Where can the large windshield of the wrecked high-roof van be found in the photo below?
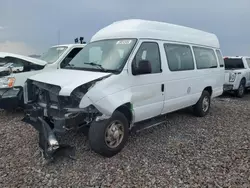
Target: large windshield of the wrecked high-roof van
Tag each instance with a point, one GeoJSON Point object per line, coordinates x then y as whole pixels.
{"type": "Point", "coordinates": [105, 56]}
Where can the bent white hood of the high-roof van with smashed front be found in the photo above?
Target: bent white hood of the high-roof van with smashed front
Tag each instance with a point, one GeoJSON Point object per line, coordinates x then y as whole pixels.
{"type": "Point", "coordinates": [68, 80]}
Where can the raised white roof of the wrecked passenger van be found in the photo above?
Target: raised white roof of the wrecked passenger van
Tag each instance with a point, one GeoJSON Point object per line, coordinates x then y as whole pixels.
{"type": "Point", "coordinates": [136, 28]}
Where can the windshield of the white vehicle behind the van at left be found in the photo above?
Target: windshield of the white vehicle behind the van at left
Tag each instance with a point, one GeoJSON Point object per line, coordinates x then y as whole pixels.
{"type": "Point", "coordinates": [53, 54]}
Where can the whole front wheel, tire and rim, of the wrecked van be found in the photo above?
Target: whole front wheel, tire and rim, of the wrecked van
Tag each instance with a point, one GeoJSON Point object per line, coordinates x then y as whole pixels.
{"type": "Point", "coordinates": [109, 137]}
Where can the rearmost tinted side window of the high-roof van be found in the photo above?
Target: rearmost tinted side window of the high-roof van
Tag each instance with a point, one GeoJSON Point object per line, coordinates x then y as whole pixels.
{"type": "Point", "coordinates": [205, 58]}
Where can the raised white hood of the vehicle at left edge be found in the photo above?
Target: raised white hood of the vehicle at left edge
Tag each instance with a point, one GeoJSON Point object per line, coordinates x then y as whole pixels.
{"type": "Point", "coordinates": [22, 57]}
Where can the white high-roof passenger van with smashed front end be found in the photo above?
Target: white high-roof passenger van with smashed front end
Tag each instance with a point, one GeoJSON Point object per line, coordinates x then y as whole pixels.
{"type": "Point", "coordinates": [131, 72]}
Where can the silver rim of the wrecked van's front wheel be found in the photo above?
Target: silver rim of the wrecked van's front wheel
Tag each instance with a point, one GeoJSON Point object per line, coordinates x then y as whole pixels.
{"type": "Point", "coordinates": [114, 134]}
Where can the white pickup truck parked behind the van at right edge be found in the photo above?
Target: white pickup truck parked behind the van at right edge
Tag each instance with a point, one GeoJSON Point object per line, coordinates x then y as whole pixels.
{"type": "Point", "coordinates": [237, 74]}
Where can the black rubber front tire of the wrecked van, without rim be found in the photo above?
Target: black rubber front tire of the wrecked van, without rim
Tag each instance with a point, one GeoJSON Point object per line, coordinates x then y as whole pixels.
{"type": "Point", "coordinates": [97, 132]}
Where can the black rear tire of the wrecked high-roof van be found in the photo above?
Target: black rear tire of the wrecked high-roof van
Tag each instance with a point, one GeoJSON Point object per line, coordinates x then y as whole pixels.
{"type": "Point", "coordinates": [198, 107]}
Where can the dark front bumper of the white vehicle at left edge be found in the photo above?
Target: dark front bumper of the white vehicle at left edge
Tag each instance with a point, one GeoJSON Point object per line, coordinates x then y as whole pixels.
{"type": "Point", "coordinates": [10, 98]}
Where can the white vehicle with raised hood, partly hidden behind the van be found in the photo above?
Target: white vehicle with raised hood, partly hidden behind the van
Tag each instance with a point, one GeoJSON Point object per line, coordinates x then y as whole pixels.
{"type": "Point", "coordinates": [15, 69]}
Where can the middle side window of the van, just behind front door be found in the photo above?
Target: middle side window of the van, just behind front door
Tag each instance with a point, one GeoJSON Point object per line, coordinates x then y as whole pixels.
{"type": "Point", "coordinates": [179, 57]}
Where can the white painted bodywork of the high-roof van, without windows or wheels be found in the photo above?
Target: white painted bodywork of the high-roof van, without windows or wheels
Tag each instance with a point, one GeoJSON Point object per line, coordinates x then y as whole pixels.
{"type": "Point", "coordinates": [144, 92]}
